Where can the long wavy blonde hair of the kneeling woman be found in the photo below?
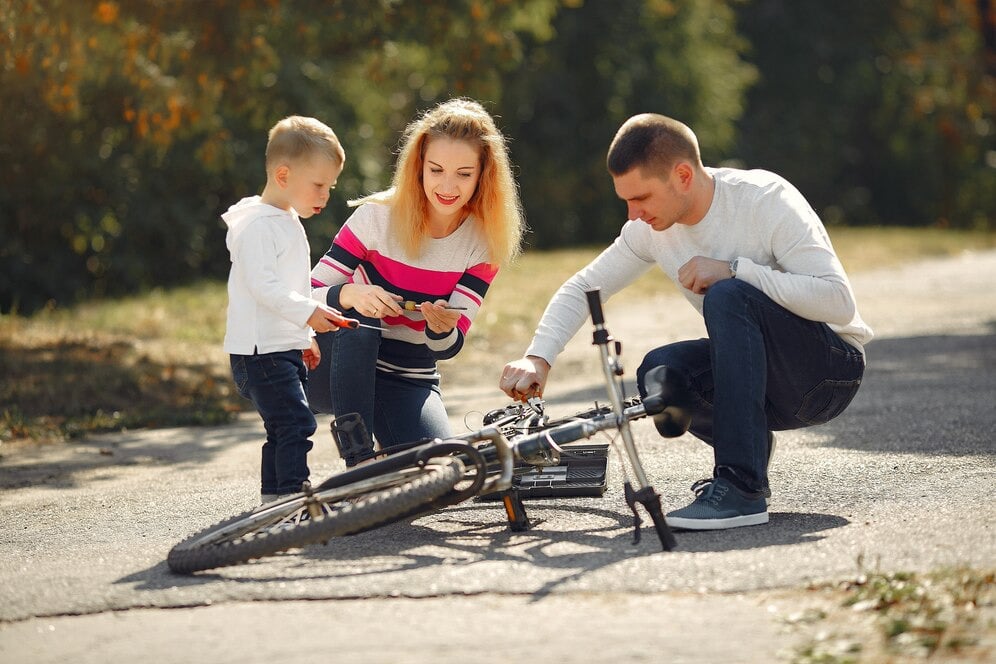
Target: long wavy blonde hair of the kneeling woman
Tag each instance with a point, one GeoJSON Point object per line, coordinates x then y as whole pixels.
{"type": "Point", "coordinates": [496, 200]}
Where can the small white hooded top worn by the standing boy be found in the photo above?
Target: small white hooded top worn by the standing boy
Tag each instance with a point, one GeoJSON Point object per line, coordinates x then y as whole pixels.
{"type": "Point", "coordinates": [269, 284]}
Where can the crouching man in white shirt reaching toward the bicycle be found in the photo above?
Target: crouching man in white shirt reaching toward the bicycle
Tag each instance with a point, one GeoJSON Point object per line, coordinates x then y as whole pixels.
{"type": "Point", "coordinates": [786, 344]}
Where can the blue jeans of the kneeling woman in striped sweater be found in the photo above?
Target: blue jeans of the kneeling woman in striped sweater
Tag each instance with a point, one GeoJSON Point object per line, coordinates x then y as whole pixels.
{"type": "Point", "coordinates": [395, 409]}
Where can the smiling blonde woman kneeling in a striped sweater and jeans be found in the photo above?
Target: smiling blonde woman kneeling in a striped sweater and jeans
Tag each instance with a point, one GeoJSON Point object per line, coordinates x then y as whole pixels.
{"type": "Point", "coordinates": [435, 241]}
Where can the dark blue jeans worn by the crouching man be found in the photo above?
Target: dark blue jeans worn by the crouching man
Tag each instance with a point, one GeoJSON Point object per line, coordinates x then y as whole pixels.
{"type": "Point", "coordinates": [761, 369]}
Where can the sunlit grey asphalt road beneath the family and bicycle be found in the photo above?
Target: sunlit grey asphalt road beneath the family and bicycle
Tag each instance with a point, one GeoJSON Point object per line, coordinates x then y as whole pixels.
{"type": "Point", "coordinates": [902, 481]}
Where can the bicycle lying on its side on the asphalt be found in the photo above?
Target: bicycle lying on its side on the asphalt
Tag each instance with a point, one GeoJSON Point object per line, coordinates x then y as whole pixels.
{"type": "Point", "coordinates": [429, 475]}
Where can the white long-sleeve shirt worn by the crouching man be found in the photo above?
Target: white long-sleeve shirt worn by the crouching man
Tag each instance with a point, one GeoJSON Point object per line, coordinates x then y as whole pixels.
{"type": "Point", "coordinates": [757, 217]}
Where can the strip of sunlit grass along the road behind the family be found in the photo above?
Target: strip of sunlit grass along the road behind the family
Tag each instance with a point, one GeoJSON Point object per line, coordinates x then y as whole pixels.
{"type": "Point", "coordinates": [156, 359]}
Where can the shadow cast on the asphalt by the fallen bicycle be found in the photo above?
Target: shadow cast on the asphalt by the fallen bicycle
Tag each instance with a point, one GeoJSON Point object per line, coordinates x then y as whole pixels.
{"type": "Point", "coordinates": [474, 534]}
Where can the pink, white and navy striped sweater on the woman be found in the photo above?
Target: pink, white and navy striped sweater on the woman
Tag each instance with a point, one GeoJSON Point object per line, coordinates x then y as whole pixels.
{"type": "Point", "coordinates": [454, 268]}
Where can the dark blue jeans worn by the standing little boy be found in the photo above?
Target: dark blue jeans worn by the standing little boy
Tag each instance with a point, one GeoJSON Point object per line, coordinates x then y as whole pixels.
{"type": "Point", "coordinates": [275, 383]}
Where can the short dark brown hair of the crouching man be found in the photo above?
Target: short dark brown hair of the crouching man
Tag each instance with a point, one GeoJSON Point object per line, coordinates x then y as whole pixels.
{"type": "Point", "coordinates": [653, 143]}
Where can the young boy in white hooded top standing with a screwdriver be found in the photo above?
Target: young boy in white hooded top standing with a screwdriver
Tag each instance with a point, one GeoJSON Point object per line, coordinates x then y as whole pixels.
{"type": "Point", "coordinates": [269, 286]}
